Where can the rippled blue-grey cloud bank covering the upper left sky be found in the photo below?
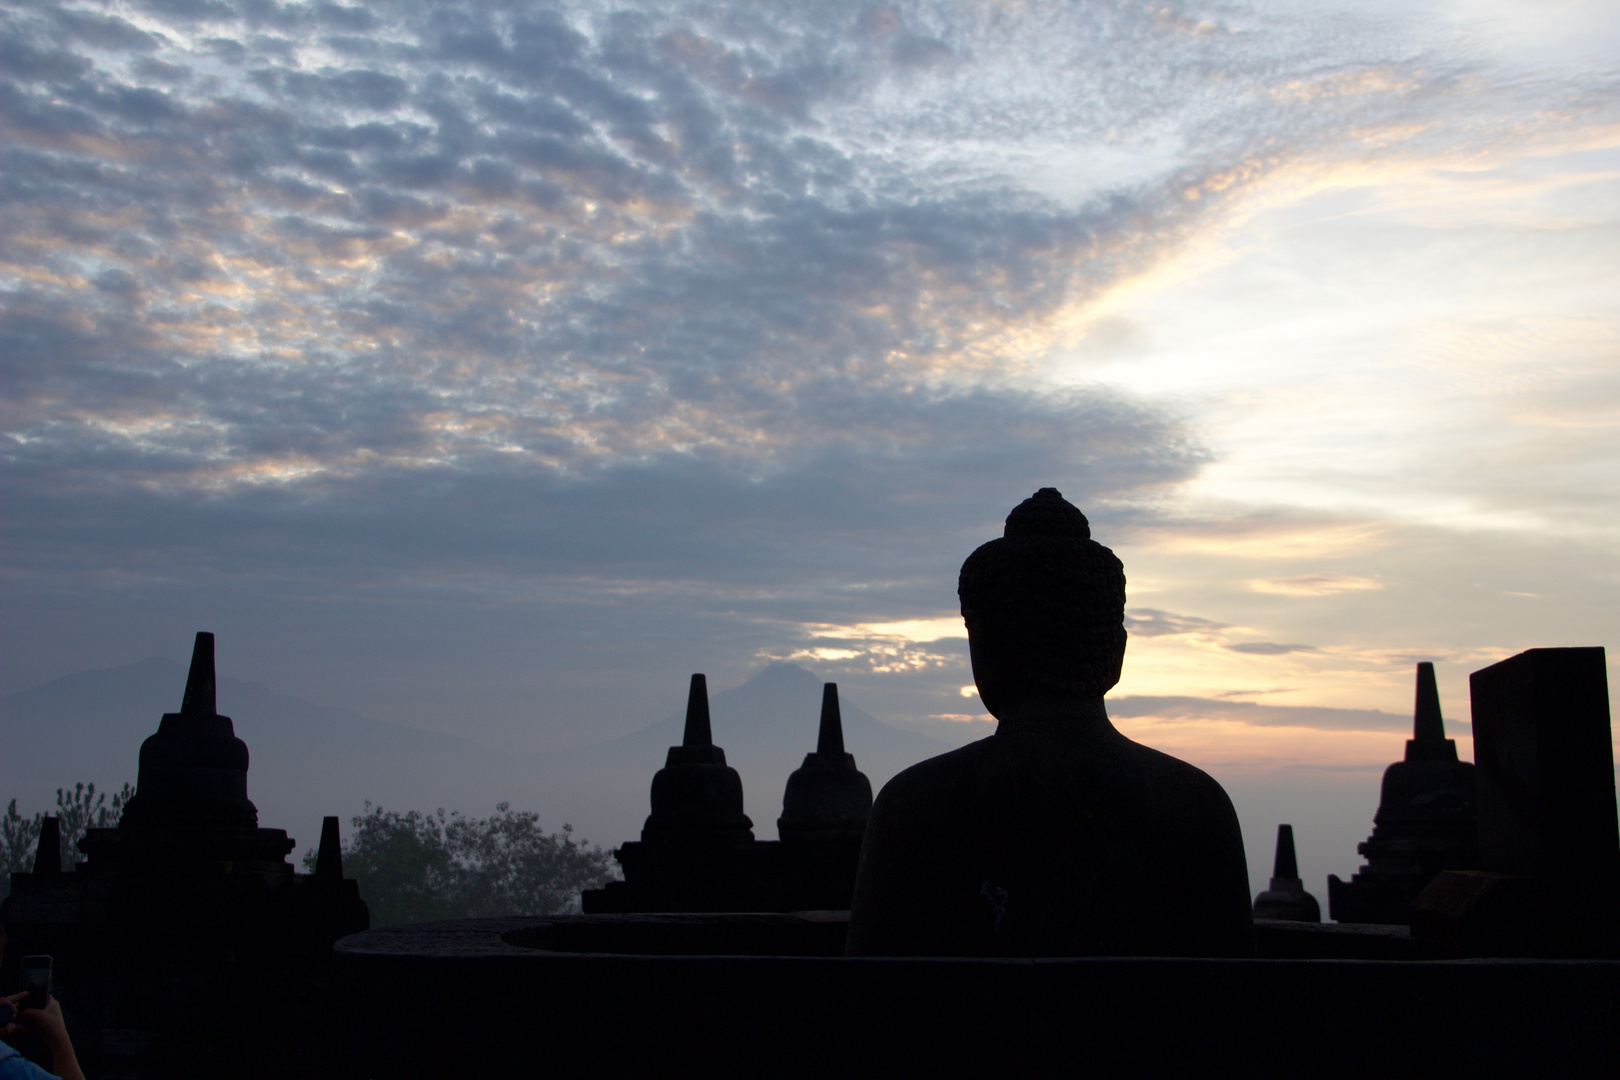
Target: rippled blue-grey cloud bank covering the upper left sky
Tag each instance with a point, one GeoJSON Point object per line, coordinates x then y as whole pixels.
{"type": "Point", "coordinates": [644, 292]}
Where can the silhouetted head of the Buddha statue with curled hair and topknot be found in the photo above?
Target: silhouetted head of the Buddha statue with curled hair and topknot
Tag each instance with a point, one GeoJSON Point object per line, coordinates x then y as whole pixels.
{"type": "Point", "coordinates": [1046, 605]}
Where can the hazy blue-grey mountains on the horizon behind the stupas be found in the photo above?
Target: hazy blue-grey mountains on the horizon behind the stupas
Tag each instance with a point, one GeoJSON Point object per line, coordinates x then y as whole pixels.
{"type": "Point", "coordinates": [310, 760]}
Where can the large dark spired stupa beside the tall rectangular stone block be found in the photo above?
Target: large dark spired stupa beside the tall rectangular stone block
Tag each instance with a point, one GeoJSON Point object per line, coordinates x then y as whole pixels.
{"type": "Point", "coordinates": [1426, 823]}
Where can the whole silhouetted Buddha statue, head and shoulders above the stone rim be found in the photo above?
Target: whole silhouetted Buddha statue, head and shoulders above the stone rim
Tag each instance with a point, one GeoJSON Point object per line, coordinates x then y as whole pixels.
{"type": "Point", "coordinates": [1055, 836]}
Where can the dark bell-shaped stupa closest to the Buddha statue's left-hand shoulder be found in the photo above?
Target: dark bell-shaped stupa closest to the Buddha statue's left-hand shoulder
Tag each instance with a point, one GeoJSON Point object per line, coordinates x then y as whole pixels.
{"type": "Point", "coordinates": [825, 810]}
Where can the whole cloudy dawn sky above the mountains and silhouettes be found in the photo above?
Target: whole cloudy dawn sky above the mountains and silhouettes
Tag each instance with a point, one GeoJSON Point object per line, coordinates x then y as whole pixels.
{"type": "Point", "coordinates": [490, 368]}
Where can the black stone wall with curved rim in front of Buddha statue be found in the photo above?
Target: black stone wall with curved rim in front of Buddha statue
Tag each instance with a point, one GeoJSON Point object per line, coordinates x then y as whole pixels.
{"type": "Point", "coordinates": [471, 998]}
